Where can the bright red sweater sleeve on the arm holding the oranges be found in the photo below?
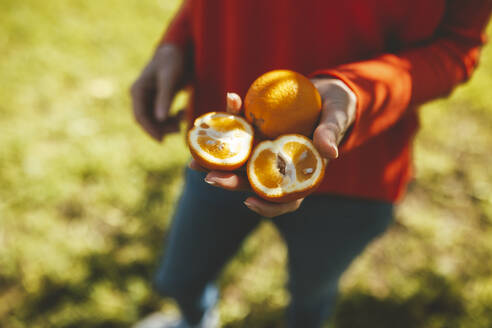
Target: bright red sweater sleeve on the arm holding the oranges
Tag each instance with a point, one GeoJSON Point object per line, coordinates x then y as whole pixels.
{"type": "Point", "coordinates": [391, 84]}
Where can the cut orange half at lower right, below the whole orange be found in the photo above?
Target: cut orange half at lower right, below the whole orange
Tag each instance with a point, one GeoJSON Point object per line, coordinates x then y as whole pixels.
{"type": "Point", "coordinates": [285, 169]}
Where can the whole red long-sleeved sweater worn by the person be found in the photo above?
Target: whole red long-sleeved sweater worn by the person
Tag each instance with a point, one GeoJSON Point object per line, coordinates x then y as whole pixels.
{"type": "Point", "coordinates": [394, 55]}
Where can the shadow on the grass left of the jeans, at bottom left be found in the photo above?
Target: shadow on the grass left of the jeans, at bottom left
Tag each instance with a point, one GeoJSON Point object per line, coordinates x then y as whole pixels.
{"type": "Point", "coordinates": [129, 256]}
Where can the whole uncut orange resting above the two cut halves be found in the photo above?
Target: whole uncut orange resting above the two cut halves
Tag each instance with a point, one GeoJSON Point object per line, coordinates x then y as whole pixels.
{"type": "Point", "coordinates": [281, 102]}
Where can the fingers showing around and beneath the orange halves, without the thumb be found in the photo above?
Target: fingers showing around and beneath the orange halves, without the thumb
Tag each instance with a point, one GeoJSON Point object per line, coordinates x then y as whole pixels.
{"type": "Point", "coordinates": [238, 180]}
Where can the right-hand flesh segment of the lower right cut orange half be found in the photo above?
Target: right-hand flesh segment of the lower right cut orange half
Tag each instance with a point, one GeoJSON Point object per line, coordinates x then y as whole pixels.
{"type": "Point", "coordinates": [303, 159]}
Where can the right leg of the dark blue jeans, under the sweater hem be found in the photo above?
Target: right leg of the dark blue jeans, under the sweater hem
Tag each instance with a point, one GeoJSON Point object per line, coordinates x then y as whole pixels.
{"type": "Point", "coordinates": [323, 237]}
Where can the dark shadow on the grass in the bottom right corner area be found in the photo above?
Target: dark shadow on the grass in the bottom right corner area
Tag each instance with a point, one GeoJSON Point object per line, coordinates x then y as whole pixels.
{"type": "Point", "coordinates": [437, 303]}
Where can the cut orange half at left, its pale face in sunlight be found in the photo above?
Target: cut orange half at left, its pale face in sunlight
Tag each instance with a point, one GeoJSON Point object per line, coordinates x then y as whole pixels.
{"type": "Point", "coordinates": [220, 141]}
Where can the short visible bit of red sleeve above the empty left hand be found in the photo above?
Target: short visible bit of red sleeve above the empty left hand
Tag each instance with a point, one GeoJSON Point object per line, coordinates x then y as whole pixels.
{"type": "Point", "coordinates": [178, 31]}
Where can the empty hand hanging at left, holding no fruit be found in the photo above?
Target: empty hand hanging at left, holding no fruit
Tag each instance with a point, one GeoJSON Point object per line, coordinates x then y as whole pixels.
{"type": "Point", "coordinates": [153, 92]}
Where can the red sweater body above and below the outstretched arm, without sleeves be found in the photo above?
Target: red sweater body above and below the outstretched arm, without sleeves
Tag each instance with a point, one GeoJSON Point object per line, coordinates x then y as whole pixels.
{"type": "Point", "coordinates": [235, 41]}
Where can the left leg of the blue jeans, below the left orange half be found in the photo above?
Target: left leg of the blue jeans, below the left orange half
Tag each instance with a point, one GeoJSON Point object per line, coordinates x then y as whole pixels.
{"type": "Point", "coordinates": [208, 227]}
